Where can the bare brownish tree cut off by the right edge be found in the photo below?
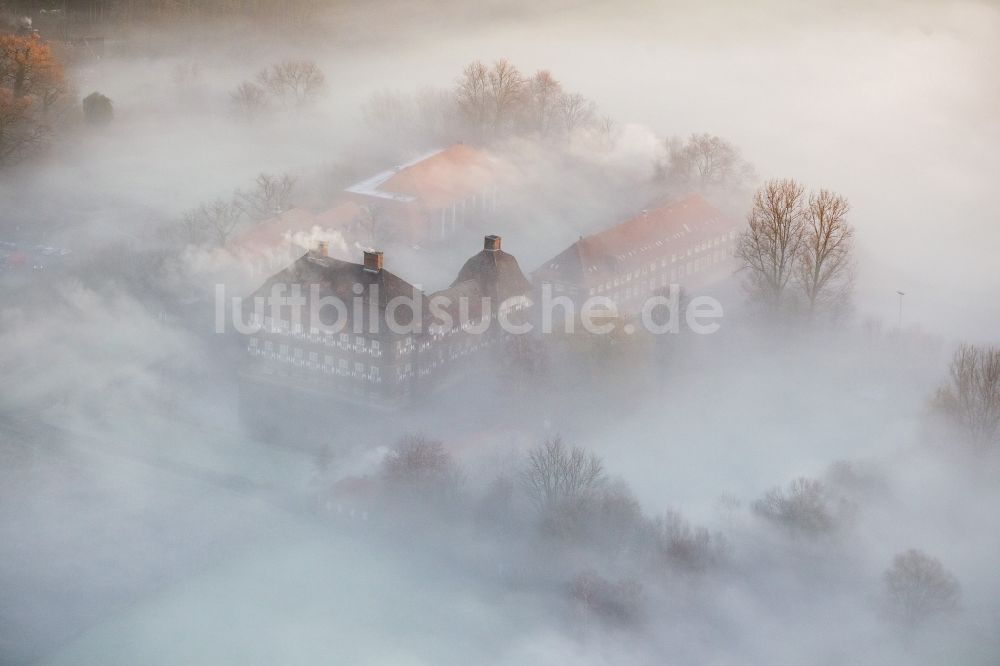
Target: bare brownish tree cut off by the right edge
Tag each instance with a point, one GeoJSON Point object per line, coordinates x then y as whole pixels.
{"type": "Point", "coordinates": [971, 400]}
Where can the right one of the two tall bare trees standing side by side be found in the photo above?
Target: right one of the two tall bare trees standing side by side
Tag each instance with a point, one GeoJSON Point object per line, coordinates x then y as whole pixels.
{"type": "Point", "coordinates": [825, 266]}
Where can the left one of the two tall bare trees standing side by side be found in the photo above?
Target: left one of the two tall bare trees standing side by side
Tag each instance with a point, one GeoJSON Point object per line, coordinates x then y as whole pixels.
{"type": "Point", "coordinates": [769, 248]}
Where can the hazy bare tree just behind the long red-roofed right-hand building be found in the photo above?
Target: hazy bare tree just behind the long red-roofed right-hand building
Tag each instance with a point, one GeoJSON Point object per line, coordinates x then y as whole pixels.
{"type": "Point", "coordinates": [705, 161]}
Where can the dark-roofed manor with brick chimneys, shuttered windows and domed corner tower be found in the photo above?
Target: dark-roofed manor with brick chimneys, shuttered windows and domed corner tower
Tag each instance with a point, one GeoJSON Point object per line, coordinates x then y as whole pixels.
{"type": "Point", "coordinates": [389, 341]}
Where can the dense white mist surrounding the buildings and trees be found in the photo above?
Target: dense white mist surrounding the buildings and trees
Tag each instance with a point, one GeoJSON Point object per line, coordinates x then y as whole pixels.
{"type": "Point", "coordinates": [140, 522]}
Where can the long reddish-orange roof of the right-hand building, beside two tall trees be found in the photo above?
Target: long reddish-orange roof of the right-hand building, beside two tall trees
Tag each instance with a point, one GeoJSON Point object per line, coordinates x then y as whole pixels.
{"type": "Point", "coordinates": [652, 233]}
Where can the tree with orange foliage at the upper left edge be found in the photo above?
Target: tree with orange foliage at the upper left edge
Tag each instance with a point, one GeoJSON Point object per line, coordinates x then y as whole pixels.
{"type": "Point", "coordinates": [31, 81]}
